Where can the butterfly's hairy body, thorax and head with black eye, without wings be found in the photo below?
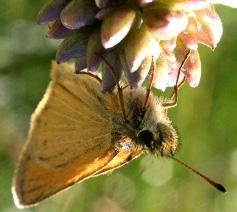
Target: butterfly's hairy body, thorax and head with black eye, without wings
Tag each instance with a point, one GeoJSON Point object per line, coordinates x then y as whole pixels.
{"type": "Point", "coordinates": [148, 126]}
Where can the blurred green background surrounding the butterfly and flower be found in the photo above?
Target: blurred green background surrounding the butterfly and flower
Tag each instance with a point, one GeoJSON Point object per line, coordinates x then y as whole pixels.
{"type": "Point", "coordinates": [205, 116]}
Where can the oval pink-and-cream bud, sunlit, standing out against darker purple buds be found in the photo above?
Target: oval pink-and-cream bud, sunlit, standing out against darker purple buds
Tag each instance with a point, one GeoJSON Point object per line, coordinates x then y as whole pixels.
{"type": "Point", "coordinates": [116, 26]}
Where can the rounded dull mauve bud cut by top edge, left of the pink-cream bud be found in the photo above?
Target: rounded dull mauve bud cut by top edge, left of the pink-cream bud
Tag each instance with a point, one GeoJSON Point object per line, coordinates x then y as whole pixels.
{"type": "Point", "coordinates": [78, 13]}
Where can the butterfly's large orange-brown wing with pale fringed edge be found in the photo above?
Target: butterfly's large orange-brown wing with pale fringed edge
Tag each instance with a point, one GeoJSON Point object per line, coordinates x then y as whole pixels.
{"type": "Point", "coordinates": [69, 138]}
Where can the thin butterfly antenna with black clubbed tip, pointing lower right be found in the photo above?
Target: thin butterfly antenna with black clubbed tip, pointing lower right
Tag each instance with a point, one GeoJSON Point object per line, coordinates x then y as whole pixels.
{"type": "Point", "coordinates": [218, 186]}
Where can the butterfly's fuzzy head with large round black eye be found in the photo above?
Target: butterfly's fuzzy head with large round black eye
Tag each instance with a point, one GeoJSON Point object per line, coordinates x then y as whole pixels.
{"type": "Point", "coordinates": [160, 140]}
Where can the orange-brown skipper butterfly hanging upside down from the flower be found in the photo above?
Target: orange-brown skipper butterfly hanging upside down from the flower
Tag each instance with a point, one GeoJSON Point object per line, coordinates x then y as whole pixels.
{"type": "Point", "coordinates": [77, 132]}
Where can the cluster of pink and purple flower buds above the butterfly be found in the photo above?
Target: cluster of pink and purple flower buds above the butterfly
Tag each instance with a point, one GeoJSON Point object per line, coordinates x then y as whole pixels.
{"type": "Point", "coordinates": [132, 33]}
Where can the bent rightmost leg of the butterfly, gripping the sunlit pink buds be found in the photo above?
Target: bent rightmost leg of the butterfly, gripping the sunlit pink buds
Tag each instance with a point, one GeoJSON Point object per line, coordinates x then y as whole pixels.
{"type": "Point", "coordinates": [172, 101]}
